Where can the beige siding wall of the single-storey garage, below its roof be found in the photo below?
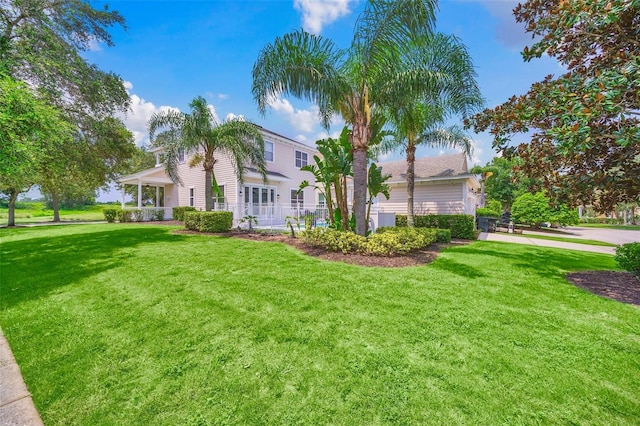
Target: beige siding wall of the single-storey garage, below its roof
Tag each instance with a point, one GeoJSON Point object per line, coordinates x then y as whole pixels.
{"type": "Point", "coordinates": [444, 197]}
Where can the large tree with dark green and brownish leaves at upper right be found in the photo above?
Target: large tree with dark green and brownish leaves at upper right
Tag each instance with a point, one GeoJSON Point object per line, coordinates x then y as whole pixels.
{"type": "Point", "coordinates": [585, 145]}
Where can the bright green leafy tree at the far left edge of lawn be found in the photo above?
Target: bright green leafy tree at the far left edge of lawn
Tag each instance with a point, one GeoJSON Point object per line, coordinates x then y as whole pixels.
{"type": "Point", "coordinates": [31, 133]}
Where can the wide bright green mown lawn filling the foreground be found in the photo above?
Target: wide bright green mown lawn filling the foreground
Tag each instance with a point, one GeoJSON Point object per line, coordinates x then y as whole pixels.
{"type": "Point", "coordinates": [131, 325]}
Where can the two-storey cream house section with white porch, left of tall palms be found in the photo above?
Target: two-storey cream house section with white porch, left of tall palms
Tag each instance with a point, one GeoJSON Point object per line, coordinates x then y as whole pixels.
{"type": "Point", "coordinates": [269, 202]}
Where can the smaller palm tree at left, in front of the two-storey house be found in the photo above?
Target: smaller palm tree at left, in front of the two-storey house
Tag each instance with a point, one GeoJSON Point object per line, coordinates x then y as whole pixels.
{"type": "Point", "coordinates": [199, 131]}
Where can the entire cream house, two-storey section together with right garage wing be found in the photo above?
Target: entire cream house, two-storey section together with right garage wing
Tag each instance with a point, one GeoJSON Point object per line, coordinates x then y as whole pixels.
{"type": "Point", "coordinates": [443, 185]}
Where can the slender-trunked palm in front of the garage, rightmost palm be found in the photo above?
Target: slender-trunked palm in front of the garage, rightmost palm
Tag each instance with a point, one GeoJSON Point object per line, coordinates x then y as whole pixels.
{"type": "Point", "coordinates": [417, 120]}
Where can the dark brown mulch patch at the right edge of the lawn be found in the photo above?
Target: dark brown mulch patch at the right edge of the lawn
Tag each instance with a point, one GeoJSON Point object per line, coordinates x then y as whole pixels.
{"type": "Point", "coordinates": [620, 286]}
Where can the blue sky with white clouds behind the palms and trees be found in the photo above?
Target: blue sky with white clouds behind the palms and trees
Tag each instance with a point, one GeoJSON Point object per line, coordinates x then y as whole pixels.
{"type": "Point", "coordinates": [173, 51]}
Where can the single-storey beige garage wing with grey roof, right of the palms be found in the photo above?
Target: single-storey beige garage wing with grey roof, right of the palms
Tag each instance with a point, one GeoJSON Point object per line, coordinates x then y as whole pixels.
{"type": "Point", "coordinates": [443, 185]}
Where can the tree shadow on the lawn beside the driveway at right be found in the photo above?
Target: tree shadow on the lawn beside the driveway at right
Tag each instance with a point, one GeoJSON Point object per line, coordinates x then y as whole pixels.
{"type": "Point", "coordinates": [546, 262]}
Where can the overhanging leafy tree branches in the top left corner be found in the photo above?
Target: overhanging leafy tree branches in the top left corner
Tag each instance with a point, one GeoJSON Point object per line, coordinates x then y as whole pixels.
{"type": "Point", "coordinates": [41, 42]}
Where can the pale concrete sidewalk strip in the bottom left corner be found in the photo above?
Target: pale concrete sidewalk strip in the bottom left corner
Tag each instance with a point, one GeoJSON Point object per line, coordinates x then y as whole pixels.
{"type": "Point", "coordinates": [16, 406]}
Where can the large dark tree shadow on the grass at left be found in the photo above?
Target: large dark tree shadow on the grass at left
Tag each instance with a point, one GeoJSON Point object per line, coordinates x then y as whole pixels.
{"type": "Point", "coordinates": [32, 268]}
